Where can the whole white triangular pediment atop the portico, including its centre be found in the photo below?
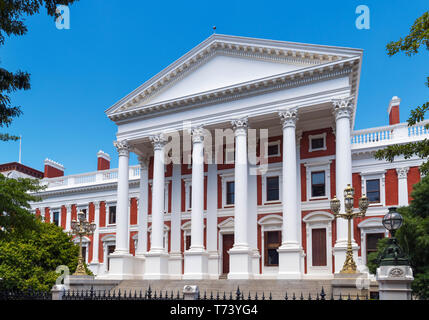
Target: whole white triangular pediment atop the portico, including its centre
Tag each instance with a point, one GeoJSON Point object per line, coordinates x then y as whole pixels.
{"type": "Point", "coordinates": [224, 62]}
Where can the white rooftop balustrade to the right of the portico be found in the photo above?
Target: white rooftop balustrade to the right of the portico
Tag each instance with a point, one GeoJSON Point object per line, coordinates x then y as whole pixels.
{"type": "Point", "coordinates": [398, 133]}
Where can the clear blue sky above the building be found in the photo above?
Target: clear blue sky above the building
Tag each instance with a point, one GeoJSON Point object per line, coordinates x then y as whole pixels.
{"type": "Point", "coordinates": [113, 46]}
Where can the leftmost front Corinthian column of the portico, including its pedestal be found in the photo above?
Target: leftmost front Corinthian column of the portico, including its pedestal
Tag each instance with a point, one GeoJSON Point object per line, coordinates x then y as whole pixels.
{"type": "Point", "coordinates": [121, 261]}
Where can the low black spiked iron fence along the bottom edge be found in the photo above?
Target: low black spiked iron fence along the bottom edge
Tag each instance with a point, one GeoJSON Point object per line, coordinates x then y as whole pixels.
{"type": "Point", "coordinates": [165, 295]}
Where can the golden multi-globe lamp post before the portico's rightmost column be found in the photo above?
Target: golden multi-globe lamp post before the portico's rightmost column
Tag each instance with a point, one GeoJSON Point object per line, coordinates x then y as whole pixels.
{"type": "Point", "coordinates": [349, 265]}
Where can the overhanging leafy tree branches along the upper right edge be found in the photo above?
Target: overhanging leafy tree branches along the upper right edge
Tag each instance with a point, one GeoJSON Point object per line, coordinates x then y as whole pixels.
{"type": "Point", "coordinates": [410, 45]}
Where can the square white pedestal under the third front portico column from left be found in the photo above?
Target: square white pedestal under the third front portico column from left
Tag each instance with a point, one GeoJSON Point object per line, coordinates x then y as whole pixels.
{"type": "Point", "coordinates": [196, 264]}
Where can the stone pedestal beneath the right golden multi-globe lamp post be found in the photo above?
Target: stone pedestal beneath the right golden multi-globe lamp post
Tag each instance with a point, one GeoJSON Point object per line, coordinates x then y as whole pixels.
{"type": "Point", "coordinates": [353, 284]}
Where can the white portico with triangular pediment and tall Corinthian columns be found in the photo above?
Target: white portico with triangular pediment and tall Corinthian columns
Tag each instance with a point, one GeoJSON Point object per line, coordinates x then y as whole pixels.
{"type": "Point", "coordinates": [228, 84]}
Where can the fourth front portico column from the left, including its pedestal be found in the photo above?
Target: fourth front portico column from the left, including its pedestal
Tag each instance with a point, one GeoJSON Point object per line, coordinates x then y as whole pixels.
{"type": "Point", "coordinates": [241, 254]}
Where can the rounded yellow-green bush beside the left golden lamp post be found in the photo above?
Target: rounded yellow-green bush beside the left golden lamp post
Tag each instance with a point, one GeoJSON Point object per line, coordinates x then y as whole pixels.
{"type": "Point", "coordinates": [30, 262]}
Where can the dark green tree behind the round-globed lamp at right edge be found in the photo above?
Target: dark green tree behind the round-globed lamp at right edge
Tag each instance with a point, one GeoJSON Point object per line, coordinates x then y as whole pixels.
{"type": "Point", "coordinates": [413, 238]}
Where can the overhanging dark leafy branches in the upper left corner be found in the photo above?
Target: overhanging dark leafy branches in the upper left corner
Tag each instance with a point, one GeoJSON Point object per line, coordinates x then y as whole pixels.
{"type": "Point", "coordinates": [12, 14]}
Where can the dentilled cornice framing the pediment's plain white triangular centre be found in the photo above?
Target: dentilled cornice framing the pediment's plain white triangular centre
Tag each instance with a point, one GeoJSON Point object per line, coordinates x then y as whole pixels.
{"type": "Point", "coordinates": [312, 59]}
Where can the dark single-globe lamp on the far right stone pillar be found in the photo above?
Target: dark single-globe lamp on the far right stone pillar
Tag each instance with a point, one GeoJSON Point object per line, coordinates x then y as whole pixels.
{"type": "Point", "coordinates": [393, 254]}
